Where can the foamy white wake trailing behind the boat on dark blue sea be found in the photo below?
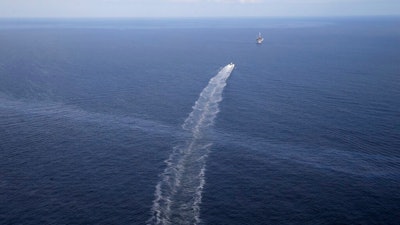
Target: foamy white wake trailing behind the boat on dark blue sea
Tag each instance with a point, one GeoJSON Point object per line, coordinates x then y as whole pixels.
{"type": "Point", "coordinates": [178, 193]}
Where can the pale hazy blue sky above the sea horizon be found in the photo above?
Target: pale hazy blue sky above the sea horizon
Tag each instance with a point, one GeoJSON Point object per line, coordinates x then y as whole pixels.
{"type": "Point", "coordinates": [195, 8]}
